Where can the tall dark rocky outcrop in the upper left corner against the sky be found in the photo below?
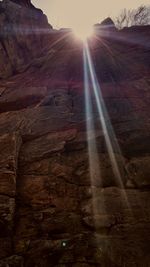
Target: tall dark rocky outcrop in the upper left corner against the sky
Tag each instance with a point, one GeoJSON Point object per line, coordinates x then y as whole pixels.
{"type": "Point", "coordinates": [23, 35]}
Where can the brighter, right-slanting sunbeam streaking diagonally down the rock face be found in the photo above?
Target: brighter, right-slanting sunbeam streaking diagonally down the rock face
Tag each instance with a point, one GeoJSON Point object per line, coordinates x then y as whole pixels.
{"type": "Point", "coordinates": [109, 135]}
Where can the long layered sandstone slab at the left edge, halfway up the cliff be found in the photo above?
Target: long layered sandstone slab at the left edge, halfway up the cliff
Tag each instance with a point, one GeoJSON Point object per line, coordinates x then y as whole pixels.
{"type": "Point", "coordinates": [35, 122]}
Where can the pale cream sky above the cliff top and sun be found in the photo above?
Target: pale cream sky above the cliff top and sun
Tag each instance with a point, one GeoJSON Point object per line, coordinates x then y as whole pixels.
{"type": "Point", "coordinates": [78, 13]}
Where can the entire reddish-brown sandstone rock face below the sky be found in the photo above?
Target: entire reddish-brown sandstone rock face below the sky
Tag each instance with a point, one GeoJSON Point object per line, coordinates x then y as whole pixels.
{"type": "Point", "coordinates": [53, 211]}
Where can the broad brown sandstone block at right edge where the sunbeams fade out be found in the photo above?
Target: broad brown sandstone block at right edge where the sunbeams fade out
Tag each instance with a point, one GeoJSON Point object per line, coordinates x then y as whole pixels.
{"type": "Point", "coordinates": [123, 205]}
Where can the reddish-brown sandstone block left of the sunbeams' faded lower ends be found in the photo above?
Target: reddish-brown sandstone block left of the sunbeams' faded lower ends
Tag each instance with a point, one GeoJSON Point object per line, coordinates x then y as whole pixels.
{"type": "Point", "coordinates": [39, 190]}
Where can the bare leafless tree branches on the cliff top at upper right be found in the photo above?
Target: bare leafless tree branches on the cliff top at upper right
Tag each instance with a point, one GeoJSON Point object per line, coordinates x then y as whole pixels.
{"type": "Point", "coordinates": [138, 16]}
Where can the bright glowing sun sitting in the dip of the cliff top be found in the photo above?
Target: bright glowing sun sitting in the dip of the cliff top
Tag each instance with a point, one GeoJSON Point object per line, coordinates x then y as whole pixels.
{"type": "Point", "coordinates": [83, 33]}
